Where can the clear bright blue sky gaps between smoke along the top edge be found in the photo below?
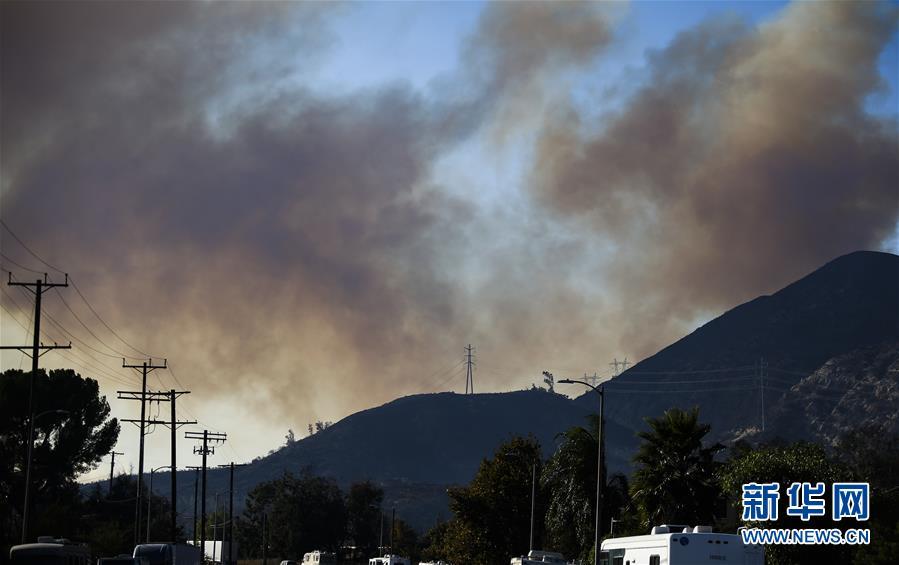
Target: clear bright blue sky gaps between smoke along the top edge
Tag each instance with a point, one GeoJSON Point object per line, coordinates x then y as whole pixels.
{"type": "Point", "coordinates": [414, 42]}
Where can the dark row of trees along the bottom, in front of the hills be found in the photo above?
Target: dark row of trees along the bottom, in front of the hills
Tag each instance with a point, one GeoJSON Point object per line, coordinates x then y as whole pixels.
{"type": "Point", "coordinates": [678, 477]}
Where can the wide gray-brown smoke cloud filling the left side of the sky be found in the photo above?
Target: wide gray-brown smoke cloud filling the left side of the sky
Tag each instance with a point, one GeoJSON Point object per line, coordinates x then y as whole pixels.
{"type": "Point", "coordinates": [285, 248]}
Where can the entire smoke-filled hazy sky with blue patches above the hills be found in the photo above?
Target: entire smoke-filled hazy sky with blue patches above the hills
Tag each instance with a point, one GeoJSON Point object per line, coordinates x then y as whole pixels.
{"type": "Point", "coordinates": [310, 209]}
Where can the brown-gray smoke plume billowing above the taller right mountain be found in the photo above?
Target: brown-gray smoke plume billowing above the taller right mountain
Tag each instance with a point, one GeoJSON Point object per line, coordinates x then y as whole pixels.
{"type": "Point", "coordinates": [746, 160]}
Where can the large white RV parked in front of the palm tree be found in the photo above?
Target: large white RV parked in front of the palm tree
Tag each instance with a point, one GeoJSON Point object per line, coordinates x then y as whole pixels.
{"type": "Point", "coordinates": [680, 545]}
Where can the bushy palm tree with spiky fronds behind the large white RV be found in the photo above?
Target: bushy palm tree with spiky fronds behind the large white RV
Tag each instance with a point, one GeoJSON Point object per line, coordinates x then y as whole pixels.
{"type": "Point", "coordinates": [675, 478]}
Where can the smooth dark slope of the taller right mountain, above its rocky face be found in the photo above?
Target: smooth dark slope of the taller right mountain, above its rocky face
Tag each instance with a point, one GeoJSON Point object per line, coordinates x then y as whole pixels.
{"type": "Point", "coordinates": [848, 305]}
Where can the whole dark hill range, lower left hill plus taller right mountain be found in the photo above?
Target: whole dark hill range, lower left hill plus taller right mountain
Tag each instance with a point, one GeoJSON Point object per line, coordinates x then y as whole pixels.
{"type": "Point", "coordinates": [818, 330]}
